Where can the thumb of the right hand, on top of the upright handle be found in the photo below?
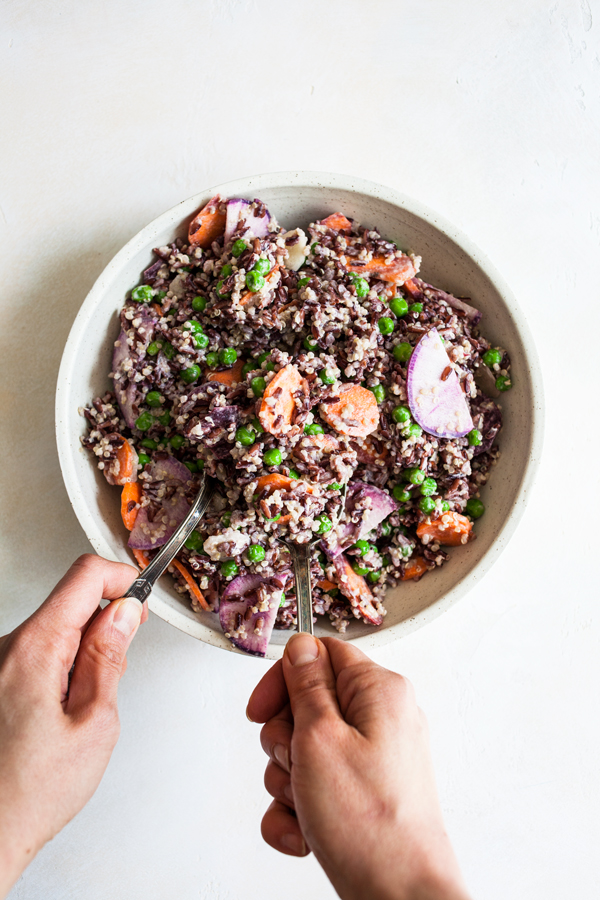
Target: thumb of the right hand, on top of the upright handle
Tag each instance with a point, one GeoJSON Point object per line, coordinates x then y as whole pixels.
{"type": "Point", "coordinates": [310, 680]}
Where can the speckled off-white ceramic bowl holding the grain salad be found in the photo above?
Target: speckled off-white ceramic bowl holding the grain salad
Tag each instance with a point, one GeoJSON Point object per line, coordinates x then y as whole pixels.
{"type": "Point", "coordinates": [450, 261]}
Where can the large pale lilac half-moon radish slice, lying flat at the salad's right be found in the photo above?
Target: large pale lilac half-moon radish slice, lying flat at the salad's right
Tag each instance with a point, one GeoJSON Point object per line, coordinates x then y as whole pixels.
{"type": "Point", "coordinates": [435, 396]}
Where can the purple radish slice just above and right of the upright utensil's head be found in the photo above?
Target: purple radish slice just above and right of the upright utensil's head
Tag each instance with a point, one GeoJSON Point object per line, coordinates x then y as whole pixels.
{"type": "Point", "coordinates": [366, 506]}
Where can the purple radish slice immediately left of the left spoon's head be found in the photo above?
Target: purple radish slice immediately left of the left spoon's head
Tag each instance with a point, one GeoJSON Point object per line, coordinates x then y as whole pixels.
{"type": "Point", "coordinates": [174, 478]}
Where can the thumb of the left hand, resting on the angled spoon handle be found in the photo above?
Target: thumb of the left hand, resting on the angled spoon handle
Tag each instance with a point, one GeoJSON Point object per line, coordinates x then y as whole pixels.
{"type": "Point", "coordinates": [101, 654]}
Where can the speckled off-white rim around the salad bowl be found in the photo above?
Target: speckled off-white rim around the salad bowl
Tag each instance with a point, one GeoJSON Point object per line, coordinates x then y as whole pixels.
{"type": "Point", "coordinates": [254, 184]}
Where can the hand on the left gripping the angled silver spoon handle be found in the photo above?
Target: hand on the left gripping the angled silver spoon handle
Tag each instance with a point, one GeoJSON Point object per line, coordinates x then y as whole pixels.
{"type": "Point", "coordinates": [55, 739]}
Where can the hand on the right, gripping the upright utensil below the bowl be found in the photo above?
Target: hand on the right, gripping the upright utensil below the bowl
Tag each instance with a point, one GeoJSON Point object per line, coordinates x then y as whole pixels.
{"type": "Point", "coordinates": [351, 774]}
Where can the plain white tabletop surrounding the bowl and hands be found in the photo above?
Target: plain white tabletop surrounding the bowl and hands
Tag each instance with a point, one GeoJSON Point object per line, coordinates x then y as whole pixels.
{"type": "Point", "coordinates": [488, 112]}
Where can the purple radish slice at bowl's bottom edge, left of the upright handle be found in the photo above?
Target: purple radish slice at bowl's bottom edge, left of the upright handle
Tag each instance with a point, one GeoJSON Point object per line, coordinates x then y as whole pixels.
{"type": "Point", "coordinates": [247, 621]}
